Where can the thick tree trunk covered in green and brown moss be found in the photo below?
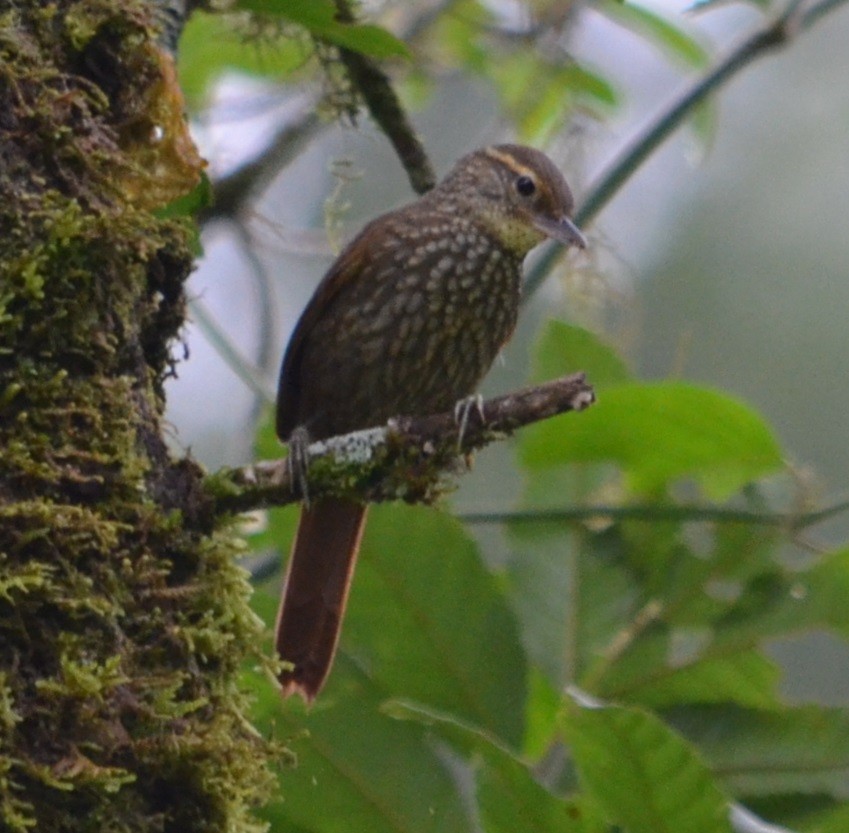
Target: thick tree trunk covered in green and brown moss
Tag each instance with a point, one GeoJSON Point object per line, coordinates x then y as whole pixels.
{"type": "Point", "coordinates": [123, 621]}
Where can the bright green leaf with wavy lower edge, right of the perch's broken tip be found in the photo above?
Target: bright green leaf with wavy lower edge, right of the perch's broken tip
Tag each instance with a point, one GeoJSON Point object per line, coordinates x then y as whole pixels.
{"type": "Point", "coordinates": [659, 433]}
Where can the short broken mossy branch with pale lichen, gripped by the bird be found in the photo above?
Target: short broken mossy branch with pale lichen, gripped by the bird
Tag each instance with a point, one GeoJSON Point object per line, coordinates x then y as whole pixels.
{"type": "Point", "coordinates": [406, 459]}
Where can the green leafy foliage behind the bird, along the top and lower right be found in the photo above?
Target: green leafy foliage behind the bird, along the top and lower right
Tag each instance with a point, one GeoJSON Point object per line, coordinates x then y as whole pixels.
{"type": "Point", "coordinates": [604, 663]}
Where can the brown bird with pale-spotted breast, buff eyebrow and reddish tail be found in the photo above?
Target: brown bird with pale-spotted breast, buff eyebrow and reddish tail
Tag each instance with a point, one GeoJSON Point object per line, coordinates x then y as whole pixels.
{"type": "Point", "coordinates": [407, 321]}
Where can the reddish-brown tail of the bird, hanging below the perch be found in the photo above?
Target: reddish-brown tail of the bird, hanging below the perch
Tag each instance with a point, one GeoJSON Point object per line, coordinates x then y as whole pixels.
{"type": "Point", "coordinates": [315, 593]}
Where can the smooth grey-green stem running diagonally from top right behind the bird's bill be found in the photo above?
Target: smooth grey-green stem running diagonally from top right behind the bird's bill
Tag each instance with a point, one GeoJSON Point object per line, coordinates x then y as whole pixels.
{"type": "Point", "coordinates": [773, 34]}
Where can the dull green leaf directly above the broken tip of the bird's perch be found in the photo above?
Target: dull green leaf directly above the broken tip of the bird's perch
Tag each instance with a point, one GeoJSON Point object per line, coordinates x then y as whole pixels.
{"type": "Point", "coordinates": [564, 348]}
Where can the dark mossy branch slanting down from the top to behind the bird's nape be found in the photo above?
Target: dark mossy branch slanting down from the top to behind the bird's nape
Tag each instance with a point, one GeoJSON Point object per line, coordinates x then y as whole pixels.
{"type": "Point", "coordinates": [374, 86]}
